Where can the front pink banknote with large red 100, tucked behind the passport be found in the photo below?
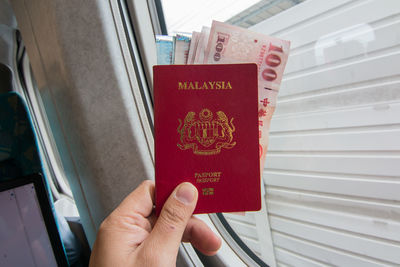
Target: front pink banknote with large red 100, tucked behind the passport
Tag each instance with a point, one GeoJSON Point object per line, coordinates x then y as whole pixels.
{"type": "Point", "coordinates": [231, 44]}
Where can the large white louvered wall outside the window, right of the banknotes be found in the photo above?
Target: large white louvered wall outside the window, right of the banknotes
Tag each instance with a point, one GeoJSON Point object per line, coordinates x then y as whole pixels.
{"type": "Point", "coordinates": [332, 172]}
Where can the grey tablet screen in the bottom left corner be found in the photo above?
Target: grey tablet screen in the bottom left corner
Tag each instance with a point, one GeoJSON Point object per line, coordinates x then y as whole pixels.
{"type": "Point", "coordinates": [23, 233]}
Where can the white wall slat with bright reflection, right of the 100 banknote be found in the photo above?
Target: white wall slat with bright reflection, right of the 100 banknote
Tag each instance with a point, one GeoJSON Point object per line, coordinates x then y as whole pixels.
{"type": "Point", "coordinates": [350, 43]}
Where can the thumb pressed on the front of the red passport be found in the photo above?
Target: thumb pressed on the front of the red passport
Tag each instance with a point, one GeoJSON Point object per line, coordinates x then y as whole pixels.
{"type": "Point", "coordinates": [167, 233]}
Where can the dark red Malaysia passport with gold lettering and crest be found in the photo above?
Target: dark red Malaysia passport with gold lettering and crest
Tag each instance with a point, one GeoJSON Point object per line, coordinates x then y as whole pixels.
{"type": "Point", "coordinates": [206, 133]}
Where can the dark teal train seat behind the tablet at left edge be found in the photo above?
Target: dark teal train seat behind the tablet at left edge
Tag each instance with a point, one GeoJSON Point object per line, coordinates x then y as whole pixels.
{"type": "Point", "coordinates": [19, 156]}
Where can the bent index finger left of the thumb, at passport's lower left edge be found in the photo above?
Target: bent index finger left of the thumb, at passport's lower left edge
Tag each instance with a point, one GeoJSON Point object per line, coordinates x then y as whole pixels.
{"type": "Point", "coordinates": [141, 200]}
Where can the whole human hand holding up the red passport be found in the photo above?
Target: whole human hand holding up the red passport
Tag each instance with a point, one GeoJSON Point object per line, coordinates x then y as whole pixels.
{"type": "Point", "coordinates": [133, 236]}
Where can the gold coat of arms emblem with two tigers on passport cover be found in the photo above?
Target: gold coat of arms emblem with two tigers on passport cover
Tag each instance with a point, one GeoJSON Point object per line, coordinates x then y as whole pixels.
{"type": "Point", "coordinates": [206, 135]}
